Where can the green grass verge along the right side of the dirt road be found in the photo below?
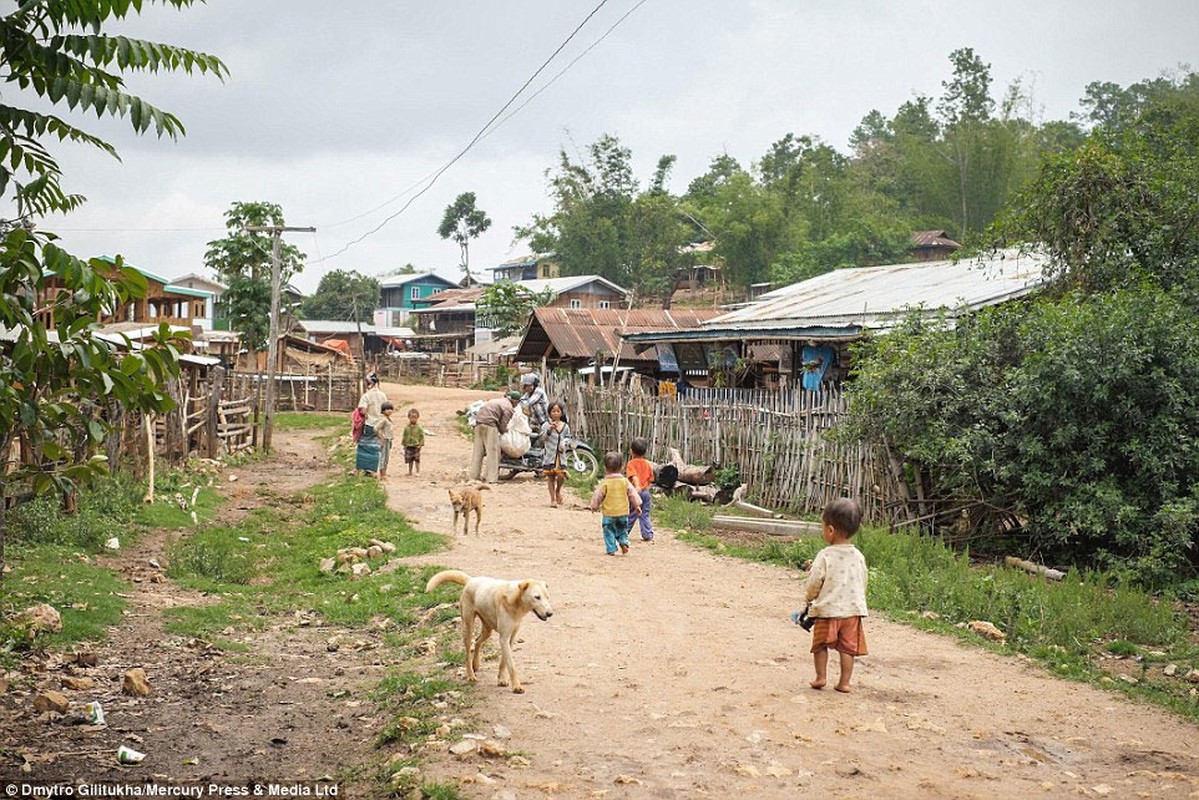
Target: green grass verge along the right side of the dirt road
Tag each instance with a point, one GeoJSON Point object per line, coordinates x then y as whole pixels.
{"type": "Point", "coordinates": [1092, 627]}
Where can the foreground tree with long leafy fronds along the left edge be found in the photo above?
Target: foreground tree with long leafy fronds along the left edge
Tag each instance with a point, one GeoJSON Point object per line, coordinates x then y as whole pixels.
{"type": "Point", "coordinates": [58, 392]}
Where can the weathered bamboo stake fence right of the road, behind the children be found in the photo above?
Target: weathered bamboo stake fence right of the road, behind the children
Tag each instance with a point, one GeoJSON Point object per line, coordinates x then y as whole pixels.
{"type": "Point", "coordinates": [778, 440]}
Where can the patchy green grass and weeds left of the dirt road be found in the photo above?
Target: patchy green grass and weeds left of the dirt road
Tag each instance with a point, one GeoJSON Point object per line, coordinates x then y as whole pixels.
{"type": "Point", "coordinates": [262, 570]}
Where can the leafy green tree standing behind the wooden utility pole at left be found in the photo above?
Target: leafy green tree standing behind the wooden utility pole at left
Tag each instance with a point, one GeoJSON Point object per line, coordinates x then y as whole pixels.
{"type": "Point", "coordinates": [243, 261]}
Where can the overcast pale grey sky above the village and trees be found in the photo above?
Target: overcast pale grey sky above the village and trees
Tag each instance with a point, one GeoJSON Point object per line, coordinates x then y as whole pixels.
{"type": "Point", "coordinates": [336, 110]}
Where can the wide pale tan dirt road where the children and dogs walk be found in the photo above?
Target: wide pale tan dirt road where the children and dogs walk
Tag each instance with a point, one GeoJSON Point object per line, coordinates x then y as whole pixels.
{"type": "Point", "coordinates": [676, 673]}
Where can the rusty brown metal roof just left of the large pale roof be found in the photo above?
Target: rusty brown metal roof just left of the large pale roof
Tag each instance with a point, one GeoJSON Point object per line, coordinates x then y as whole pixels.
{"type": "Point", "coordinates": [582, 333]}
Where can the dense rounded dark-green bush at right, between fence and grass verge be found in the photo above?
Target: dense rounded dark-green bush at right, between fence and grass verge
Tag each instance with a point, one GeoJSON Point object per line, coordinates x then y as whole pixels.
{"type": "Point", "coordinates": [1070, 419]}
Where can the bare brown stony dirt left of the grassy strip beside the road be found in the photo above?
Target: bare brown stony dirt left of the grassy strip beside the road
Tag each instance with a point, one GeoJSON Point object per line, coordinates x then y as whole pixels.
{"type": "Point", "coordinates": [287, 711]}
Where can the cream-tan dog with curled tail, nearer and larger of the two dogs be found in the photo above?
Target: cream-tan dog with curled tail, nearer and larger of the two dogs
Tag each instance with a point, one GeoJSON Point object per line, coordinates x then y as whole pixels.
{"type": "Point", "coordinates": [499, 606]}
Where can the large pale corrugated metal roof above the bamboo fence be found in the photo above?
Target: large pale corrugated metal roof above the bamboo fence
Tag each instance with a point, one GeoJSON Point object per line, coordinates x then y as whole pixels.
{"type": "Point", "coordinates": [875, 297]}
